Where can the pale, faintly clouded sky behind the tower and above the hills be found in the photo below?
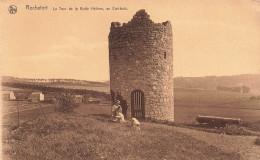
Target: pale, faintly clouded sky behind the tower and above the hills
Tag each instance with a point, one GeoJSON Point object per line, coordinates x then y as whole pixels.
{"type": "Point", "coordinates": [210, 37]}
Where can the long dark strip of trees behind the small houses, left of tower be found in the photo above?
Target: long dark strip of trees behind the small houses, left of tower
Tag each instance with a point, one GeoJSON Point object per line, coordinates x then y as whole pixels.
{"type": "Point", "coordinates": [91, 93]}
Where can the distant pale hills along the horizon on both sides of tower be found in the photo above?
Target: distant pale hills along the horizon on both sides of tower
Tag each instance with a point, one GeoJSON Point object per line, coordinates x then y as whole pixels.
{"type": "Point", "coordinates": [208, 82]}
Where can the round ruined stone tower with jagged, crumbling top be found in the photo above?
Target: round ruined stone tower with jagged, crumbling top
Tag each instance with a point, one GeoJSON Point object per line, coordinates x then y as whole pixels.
{"type": "Point", "coordinates": [141, 67]}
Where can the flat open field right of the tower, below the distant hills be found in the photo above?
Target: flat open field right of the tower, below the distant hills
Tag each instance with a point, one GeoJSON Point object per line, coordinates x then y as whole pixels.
{"type": "Point", "coordinates": [192, 102]}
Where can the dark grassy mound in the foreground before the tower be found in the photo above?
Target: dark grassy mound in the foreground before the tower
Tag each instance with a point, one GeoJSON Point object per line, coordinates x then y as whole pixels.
{"type": "Point", "coordinates": [96, 137]}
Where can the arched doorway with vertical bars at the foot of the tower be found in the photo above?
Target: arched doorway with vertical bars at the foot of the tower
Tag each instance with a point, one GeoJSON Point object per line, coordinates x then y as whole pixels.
{"type": "Point", "coordinates": [137, 104]}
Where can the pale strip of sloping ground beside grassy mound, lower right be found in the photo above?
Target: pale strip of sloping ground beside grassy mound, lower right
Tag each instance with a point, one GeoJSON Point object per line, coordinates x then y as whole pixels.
{"type": "Point", "coordinates": [244, 145]}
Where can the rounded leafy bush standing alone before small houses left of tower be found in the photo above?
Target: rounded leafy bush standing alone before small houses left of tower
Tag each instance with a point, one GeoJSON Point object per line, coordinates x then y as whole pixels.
{"type": "Point", "coordinates": [66, 103]}
